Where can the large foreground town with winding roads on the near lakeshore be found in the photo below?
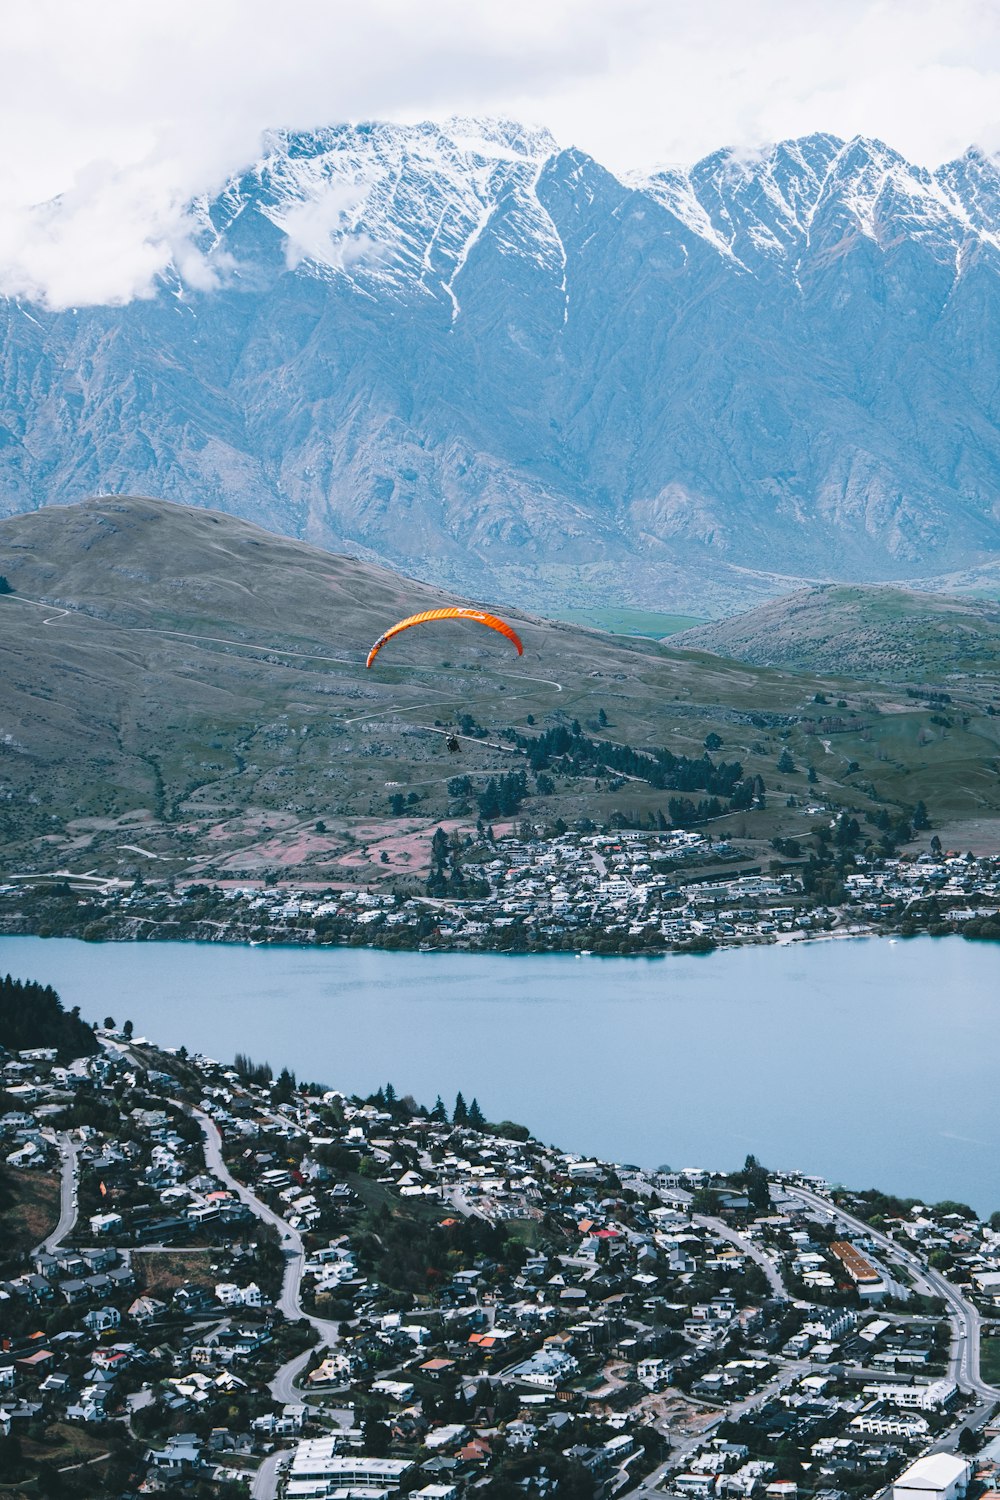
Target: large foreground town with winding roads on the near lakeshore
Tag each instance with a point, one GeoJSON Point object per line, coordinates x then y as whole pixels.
{"type": "Point", "coordinates": [221, 1282]}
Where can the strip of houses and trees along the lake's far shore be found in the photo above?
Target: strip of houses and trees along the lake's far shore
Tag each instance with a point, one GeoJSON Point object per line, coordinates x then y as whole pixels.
{"type": "Point", "coordinates": [618, 892]}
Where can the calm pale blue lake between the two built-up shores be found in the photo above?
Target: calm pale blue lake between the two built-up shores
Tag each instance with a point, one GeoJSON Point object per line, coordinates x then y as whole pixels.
{"type": "Point", "coordinates": [872, 1063]}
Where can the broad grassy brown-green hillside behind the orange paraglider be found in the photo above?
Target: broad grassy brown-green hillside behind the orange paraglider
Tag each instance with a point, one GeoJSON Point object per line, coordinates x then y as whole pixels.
{"type": "Point", "coordinates": [185, 694]}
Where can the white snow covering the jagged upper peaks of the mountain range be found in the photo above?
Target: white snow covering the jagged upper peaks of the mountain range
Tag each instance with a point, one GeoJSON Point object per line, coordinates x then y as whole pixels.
{"type": "Point", "coordinates": [401, 208]}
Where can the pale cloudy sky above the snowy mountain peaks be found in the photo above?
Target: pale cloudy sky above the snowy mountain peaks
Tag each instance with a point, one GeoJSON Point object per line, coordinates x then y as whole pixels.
{"type": "Point", "coordinates": [127, 110]}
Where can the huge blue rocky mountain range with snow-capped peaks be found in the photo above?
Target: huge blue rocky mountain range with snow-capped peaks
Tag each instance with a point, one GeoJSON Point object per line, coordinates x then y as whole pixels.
{"type": "Point", "coordinates": [491, 362]}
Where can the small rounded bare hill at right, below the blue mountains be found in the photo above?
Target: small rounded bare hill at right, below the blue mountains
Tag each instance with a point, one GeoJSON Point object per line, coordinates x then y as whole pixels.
{"type": "Point", "coordinates": [882, 634]}
